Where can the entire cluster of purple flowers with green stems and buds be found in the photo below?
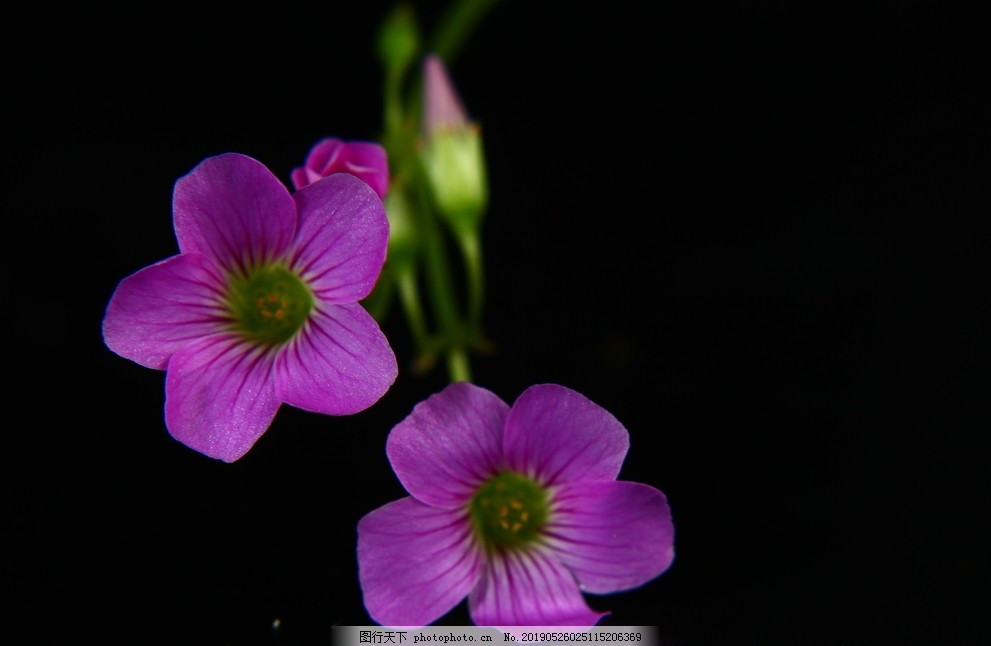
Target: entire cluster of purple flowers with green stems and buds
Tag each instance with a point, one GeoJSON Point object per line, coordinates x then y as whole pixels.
{"type": "Point", "coordinates": [516, 508]}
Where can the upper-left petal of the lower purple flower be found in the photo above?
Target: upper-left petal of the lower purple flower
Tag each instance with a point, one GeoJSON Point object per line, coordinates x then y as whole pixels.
{"type": "Point", "coordinates": [449, 444]}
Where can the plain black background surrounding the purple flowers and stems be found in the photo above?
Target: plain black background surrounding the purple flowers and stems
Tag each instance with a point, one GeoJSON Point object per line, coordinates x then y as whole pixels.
{"type": "Point", "coordinates": [754, 233]}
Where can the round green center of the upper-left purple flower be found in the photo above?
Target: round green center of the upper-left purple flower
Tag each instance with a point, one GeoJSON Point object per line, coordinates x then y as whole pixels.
{"type": "Point", "coordinates": [268, 304]}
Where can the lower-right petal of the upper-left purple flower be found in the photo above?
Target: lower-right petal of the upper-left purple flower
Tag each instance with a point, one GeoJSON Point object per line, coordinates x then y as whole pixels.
{"type": "Point", "coordinates": [340, 363]}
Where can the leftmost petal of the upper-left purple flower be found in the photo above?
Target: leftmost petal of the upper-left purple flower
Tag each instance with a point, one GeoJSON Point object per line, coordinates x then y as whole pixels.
{"type": "Point", "coordinates": [162, 308]}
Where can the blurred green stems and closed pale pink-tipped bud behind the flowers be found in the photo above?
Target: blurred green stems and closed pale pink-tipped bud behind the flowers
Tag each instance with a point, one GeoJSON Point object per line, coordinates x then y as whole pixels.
{"type": "Point", "coordinates": [439, 183]}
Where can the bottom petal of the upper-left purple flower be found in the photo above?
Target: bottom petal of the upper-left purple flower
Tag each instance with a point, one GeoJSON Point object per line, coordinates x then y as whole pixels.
{"type": "Point", "coordinates": [219, 396]}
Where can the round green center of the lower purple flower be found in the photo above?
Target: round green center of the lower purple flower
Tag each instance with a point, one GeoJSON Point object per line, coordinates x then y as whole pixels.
{"type": "Point", "coordinates": [509, 511]}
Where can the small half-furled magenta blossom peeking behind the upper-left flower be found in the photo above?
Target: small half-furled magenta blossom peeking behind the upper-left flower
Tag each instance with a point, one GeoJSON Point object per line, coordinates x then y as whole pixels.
{"type": "Point", "coordinates": [365, 160]}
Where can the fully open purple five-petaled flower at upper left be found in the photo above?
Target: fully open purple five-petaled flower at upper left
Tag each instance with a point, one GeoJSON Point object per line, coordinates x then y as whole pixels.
{"type": "Point", "coordinates": [260, 306]}
